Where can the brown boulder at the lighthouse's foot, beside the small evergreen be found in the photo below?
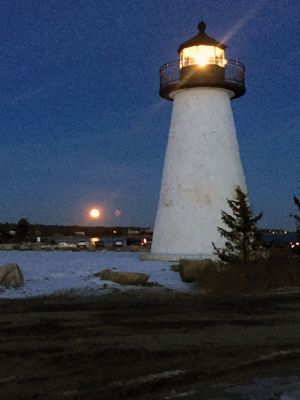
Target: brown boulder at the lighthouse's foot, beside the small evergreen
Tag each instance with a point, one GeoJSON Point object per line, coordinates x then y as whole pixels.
{"type": "Point", "coordinates": [191, 269]}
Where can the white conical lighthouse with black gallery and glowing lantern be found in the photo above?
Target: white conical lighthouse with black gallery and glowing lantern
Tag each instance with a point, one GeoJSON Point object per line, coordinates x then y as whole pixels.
{"type": "Point", "coordinates": [202, 166]}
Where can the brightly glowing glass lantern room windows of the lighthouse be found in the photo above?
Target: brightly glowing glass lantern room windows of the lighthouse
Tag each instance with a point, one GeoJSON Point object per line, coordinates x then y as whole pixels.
{"type": "Point", "coordinates": [202, 55]}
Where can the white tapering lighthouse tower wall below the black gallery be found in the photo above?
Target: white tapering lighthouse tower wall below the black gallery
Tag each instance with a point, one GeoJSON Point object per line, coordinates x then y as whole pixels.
{"type": "Point", "coordinates": [202, 170]}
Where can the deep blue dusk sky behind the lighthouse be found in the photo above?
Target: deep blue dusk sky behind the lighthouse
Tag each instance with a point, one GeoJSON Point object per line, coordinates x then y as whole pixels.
{"type": "Point", "coordinates": [82, 124]}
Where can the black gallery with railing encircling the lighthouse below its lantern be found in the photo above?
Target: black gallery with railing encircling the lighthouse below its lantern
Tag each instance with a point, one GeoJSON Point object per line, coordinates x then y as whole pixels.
{"type": "Point", "coordinates": [233, 79]}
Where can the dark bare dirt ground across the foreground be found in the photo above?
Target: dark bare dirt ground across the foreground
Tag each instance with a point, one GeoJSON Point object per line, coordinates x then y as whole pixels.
{"type": "Point", "coordinates": [148, 344]}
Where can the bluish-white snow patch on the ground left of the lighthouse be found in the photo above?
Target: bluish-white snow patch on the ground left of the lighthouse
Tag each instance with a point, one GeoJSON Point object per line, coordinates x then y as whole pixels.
{"type": "Point", "coordinates": [49, 272]}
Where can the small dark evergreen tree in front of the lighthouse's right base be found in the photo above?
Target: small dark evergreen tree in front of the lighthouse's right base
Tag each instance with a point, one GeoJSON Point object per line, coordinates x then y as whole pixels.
{"type": "Point", "coordinates": [241, 237]}
